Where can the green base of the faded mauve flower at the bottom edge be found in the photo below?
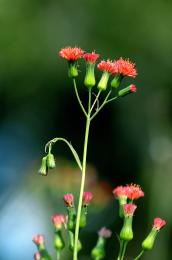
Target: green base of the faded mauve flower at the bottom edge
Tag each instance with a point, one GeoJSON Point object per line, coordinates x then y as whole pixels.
{"type": "Point", "coordinates": [98, 252]}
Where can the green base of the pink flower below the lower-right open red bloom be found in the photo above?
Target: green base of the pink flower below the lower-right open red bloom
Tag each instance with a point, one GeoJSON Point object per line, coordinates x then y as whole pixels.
{"type": "Point", "coordinates": [126, 233]}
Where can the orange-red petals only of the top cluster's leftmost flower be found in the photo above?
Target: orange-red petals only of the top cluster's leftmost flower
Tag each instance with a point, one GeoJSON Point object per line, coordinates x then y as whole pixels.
{"type": "Point", "coordinates": [71, 54]}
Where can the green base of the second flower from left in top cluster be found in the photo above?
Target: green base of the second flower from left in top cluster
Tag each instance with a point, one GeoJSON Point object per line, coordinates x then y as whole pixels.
{"type": "Point", "coordinates": [89, 80]}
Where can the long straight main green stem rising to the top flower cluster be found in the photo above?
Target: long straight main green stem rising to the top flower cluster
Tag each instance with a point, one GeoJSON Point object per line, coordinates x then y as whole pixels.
{"type": "Point", "coordinates": [82, 179]}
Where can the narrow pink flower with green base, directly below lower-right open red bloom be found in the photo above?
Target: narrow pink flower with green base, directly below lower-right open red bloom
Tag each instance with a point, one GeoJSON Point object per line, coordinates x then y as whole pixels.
{"type": "Point", "coordinates": [126, 233]}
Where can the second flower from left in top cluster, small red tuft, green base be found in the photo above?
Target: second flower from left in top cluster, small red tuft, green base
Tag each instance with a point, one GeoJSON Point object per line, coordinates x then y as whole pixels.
{"type": "Point", "coordinates": [90, 59]}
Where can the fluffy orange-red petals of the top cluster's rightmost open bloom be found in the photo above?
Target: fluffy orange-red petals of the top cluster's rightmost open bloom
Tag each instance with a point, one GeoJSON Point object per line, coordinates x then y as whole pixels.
{"type": "Point", "coordinates": [125, 68]}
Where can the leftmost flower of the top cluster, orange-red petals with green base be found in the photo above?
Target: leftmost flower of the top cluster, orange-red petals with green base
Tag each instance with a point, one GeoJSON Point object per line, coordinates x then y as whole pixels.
{"type": "Point", "coordinates": [72, 55]}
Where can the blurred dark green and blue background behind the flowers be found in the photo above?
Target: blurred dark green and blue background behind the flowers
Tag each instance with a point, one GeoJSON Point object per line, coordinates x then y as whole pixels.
{"type": "Point", "coordinates": [130, 141]}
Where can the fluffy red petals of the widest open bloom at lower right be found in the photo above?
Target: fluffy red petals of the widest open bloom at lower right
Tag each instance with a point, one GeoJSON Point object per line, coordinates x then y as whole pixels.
{"type": "Point", "coordinates": [134, 192]}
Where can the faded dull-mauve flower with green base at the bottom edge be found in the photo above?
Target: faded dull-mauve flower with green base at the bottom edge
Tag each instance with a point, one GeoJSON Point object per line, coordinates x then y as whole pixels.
{"type": "Point", "coordinates": [98, 252]}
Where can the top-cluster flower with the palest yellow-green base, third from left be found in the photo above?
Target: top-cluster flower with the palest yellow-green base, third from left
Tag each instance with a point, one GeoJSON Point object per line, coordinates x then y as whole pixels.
{"type": "Point", "coordinates": [108, 68]}
